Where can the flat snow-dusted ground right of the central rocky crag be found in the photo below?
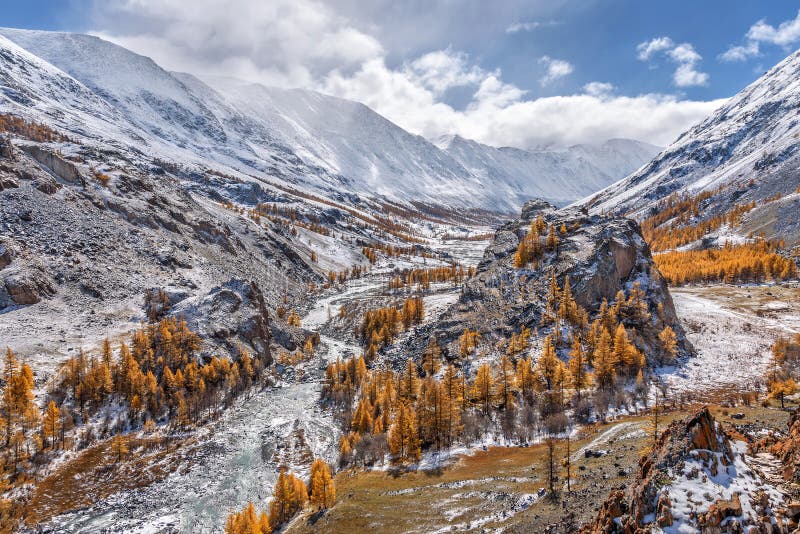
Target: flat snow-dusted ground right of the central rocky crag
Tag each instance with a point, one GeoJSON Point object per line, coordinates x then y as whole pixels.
{"type": "Point", "coordinates": [732, 329]}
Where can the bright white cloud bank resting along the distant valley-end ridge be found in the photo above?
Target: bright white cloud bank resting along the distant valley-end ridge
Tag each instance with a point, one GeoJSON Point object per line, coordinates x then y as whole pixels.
{"type": "Point", "coordinates": [500, 114]}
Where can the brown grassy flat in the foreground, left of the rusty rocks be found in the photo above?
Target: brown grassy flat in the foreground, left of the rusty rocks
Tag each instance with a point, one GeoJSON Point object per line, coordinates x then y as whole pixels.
{"type": "Point", "coordinates": [493, 481]}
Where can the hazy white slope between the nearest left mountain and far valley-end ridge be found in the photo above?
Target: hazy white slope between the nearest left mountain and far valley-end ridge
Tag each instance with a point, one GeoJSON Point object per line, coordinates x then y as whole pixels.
{"type": "Point", "coordinates": [348, 138]}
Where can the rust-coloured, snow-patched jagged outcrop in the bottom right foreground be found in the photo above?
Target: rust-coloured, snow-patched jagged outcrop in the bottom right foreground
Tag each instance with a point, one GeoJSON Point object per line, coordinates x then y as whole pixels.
{"type": "Point", "coordinates": [692, 481]}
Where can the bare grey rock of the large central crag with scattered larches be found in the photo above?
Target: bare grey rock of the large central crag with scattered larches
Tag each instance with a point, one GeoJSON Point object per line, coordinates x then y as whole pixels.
{"type": "Point", "coordinates": [600, 255]}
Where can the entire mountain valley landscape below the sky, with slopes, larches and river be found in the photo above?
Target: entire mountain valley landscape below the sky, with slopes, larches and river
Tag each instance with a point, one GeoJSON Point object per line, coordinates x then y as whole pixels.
{"type": "Point", "coordinates": [218, 296]}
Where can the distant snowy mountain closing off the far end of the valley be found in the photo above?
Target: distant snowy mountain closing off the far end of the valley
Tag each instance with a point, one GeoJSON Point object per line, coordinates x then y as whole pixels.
{"type": "Point", "coordinates": [552, 174]}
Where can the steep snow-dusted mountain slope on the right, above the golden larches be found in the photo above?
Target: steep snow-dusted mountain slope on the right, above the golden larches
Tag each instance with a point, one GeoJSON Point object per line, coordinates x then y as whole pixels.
{"type": "Point", "coordinates": [747, 150]}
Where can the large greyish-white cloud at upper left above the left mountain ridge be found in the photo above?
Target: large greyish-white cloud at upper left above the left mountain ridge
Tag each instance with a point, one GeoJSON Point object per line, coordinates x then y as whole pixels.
{"type": "Point", "coordinates": [280, 42]}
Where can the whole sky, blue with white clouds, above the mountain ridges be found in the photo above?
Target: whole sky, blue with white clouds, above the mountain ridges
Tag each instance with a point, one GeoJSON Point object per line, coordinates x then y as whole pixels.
{"type": "Point", "coordinates": [518, 72]}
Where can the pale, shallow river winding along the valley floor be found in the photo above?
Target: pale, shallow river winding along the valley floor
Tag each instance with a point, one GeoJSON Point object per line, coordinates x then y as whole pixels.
{"type": "Point", "coordinates": [231, 460]}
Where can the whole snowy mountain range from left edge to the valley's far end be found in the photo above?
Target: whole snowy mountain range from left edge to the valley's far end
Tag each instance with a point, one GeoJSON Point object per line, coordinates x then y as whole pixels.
{"type": "Point", "coordinates": [98, 90]}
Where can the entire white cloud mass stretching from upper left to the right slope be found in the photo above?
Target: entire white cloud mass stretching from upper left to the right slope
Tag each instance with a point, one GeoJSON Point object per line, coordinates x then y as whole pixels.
{"type": "Point", "coordinates": [309, 43]}
